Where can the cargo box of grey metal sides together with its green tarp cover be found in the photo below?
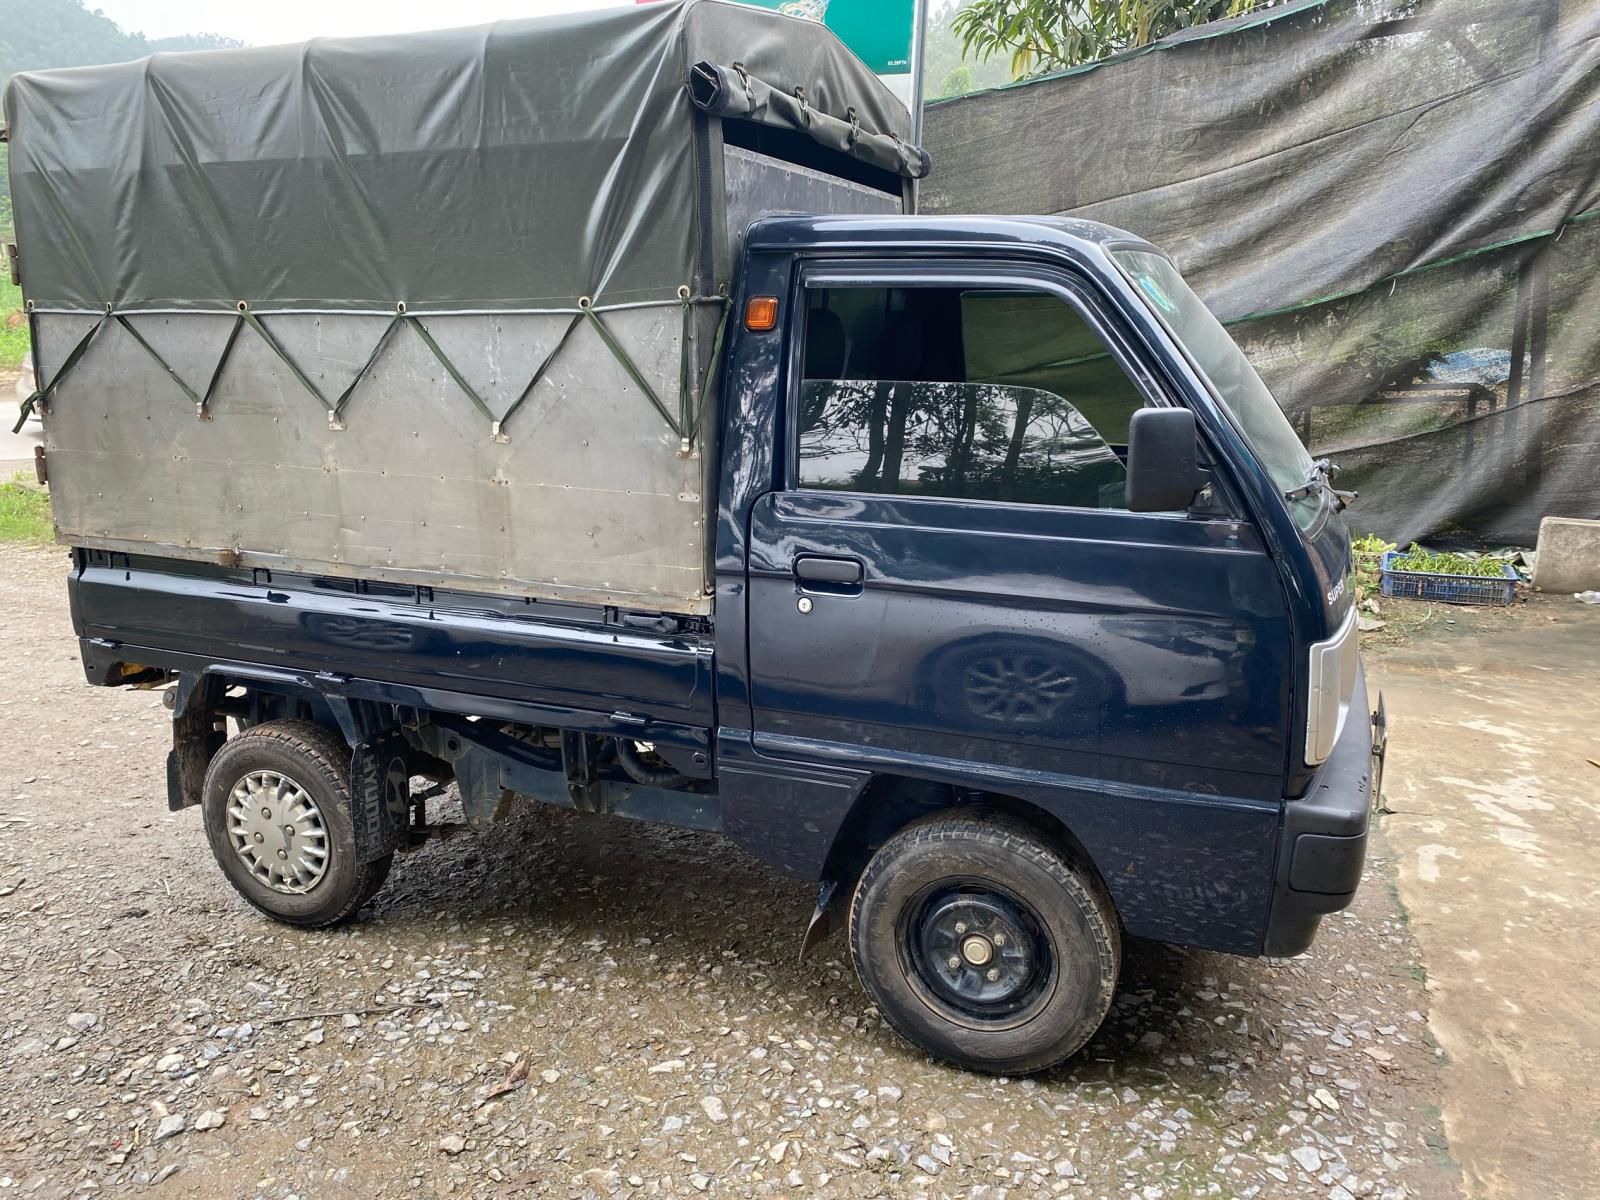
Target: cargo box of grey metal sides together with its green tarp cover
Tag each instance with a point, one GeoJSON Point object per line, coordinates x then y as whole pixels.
{"type": "Point", "coordinates": [447, 303]}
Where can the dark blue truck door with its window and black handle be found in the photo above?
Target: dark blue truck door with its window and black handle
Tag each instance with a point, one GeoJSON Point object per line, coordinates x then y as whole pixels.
{"type": "Point", "coordinates": [948, 574]}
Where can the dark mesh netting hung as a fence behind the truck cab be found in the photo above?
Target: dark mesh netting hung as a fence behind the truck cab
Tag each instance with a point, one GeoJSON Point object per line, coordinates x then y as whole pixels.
{"type": "Point", "coordinates": [1394, 204]}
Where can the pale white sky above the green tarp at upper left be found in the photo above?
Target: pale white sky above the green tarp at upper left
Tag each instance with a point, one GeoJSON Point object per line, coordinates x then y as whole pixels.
{"type": "Point", "coordinates": [263, 25]}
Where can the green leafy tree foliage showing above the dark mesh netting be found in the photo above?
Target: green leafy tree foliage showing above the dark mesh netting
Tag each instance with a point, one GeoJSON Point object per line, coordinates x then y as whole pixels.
{"type": "Point", "coordinates": [1044, 36]}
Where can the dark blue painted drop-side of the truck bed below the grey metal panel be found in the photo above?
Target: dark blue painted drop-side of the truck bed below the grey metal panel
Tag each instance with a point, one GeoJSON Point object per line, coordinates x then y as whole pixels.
{"type": "Point", "coordinates": [540, 663]}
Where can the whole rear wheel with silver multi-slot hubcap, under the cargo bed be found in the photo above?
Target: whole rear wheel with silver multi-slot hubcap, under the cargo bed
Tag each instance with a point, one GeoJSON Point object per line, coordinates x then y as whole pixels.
{"type": "Point", "coordinates": [278, 814]}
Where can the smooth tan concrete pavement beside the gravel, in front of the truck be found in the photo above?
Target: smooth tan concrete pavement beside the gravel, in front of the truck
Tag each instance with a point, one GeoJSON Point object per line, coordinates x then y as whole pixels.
{"type": "Point", "coordinates": [1495, 790]}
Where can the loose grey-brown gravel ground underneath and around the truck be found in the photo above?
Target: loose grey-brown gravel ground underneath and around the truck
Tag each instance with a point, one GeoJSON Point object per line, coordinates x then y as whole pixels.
{"type": "Point", "coordinates": [582, 1006]}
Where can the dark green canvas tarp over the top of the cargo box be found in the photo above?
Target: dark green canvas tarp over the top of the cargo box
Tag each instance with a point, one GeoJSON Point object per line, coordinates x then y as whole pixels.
{"type": "Point", "coordinates": [521, 164]}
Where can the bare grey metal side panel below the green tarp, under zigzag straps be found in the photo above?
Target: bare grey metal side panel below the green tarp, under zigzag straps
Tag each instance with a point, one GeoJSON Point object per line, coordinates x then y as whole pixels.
{"type": "Point", "coordinates": [591, 497]}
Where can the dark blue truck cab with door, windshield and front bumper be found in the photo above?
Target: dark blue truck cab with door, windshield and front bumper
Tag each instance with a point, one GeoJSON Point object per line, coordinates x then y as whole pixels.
{"type": "Point", "coordinates": [937, 511]}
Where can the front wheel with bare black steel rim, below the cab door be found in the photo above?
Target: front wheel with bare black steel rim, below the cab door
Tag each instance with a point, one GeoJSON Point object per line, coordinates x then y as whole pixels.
{"type": "Point", "coordinates": [956, 881]}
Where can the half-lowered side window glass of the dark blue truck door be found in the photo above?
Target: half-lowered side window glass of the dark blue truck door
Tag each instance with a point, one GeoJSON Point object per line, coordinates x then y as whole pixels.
{"type": "Point", "coordinates": [956, 393]}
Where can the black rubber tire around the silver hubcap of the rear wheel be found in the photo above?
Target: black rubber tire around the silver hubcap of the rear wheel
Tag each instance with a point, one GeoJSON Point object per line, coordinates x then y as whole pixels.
{"type": "Point", "coordinates": [319, 762]}
